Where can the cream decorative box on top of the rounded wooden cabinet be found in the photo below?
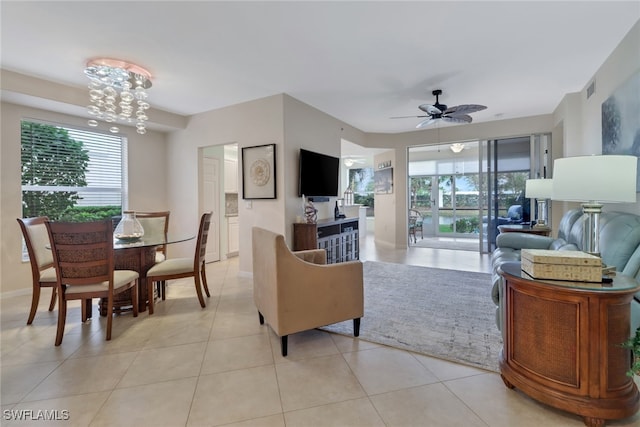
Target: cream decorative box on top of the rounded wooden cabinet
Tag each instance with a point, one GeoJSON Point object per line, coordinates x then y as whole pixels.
{"type": "Point", "coordinates": [561, 265]}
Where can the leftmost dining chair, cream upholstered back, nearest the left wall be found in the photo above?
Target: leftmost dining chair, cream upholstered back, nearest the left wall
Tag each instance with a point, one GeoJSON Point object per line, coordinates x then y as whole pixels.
{"type": "Point", "coordinates": [43, 275]}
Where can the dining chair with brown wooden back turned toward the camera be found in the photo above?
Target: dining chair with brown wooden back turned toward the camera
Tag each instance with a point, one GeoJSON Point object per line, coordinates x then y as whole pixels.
{"type": "Point", "coordinates": [84, 263]}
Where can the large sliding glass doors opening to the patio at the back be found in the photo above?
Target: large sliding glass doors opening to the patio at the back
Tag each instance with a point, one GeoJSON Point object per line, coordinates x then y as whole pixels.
{"type": "Point", "coordinates": [471, 192]}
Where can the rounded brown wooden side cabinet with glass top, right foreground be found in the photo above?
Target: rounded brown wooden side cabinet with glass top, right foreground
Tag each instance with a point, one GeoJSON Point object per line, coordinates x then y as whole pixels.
{"type": "Point", "coordinates": [562, 344]}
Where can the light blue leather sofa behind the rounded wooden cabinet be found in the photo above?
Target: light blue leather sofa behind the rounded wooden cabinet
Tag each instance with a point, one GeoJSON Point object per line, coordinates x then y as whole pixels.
{"type": "Point", "coordinates": [619, 247]}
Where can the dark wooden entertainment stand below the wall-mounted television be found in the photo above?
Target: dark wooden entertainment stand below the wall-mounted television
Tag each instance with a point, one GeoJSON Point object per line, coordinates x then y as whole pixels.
{"type": "Point", "coordinates": [339, 237]}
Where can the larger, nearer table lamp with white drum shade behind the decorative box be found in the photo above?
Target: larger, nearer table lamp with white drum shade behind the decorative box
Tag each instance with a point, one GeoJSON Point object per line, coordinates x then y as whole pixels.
{"type": "Point", "coordinates": [594, 180]}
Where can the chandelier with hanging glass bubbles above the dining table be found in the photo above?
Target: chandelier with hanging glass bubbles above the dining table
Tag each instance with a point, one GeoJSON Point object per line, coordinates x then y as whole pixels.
{"type": "Point", "coordinates": [110, 78]}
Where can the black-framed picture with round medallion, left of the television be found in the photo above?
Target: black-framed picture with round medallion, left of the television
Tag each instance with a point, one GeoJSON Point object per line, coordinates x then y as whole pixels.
{"type": "Point", "coordinates": [259, 172]}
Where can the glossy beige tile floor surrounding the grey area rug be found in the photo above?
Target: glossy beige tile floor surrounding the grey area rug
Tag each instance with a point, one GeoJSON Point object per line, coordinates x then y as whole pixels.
{"type": "Point", "coordinates": [187, 366]}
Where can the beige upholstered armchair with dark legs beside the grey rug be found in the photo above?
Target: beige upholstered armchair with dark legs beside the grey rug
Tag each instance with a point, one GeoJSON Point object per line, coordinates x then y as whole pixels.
{"type": "Point", "coordinates": [298, 291]}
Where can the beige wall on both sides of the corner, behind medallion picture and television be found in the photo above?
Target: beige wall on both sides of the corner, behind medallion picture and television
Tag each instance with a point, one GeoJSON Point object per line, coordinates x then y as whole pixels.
{"type": "Point", "coordinates": [279, 119]}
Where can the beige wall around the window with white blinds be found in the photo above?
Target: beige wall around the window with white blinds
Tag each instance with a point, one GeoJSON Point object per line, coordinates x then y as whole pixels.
{"type": "Point", "coordinates": [147, 183]}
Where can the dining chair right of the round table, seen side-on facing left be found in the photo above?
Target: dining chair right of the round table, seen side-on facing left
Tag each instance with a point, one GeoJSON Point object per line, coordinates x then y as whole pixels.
{"type": "Point", "coordinates": [178, 268]}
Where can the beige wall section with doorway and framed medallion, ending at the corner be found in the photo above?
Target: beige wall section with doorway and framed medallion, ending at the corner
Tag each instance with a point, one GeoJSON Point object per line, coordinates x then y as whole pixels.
{"type": "Point", "coordinates": [249, 124]}
